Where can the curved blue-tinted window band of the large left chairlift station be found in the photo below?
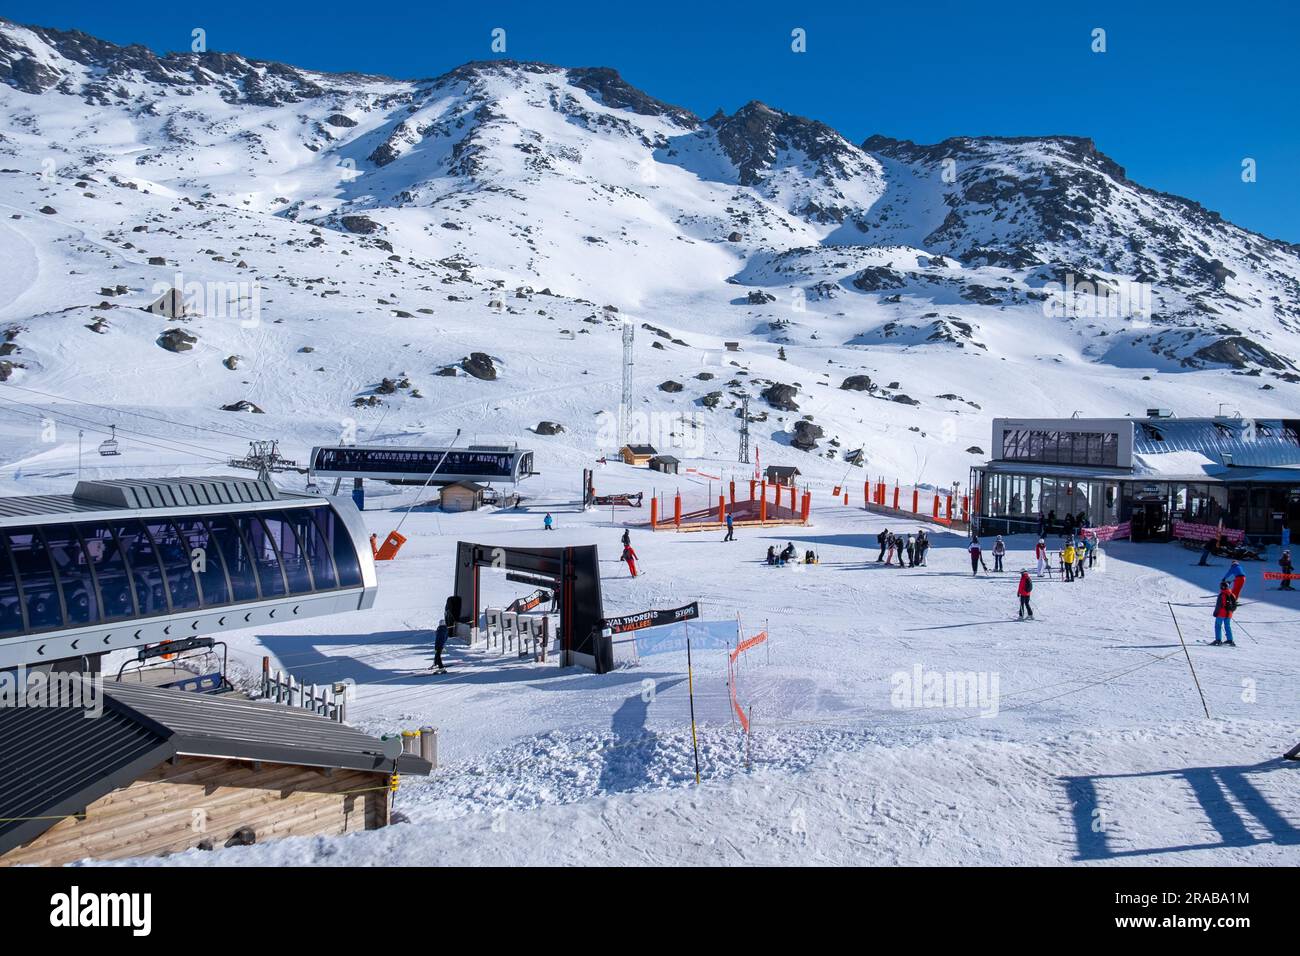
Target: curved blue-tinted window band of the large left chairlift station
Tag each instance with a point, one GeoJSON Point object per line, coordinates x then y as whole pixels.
{"type": "Point", "coordinates": [98, 573]}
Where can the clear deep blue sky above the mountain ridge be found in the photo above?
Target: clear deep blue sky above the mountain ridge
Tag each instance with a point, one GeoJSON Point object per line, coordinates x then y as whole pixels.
{"type": "Point", "coordinates": [1182, 96]}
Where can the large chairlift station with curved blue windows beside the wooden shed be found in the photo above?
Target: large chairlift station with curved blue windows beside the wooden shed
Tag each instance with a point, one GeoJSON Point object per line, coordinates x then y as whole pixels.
{"type": "Point", "coordinates": [122, 564]}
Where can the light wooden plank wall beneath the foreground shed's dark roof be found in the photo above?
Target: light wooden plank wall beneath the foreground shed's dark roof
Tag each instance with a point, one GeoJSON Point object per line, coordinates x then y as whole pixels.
{"type": "Point", "coordinates": [176, 807]}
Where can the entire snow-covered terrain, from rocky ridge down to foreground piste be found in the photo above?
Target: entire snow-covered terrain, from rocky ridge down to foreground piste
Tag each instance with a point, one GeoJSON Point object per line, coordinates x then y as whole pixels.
{"type": "Point", "coordinates": [353, 240]}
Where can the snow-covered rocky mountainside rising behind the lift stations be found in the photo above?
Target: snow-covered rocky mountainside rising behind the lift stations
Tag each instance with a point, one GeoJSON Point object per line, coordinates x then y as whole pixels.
{"type": "Point", "coordinates": [388, 230]}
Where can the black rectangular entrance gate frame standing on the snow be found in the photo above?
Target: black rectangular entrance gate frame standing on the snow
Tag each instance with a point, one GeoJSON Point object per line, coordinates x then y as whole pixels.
{"type": "Point", "coordinates": [573, 574]}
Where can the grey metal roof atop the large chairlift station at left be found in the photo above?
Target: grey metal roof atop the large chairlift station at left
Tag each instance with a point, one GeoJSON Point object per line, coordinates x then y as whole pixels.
{"type": "Point", "coordinates": [150, 495]}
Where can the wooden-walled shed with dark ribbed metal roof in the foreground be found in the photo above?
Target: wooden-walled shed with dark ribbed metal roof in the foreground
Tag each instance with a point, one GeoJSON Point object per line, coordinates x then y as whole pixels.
{"type": "Point", "coordinates": [203, 772]}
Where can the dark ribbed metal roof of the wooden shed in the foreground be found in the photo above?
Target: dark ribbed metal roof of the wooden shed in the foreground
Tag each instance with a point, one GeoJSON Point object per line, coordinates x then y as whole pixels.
{"type": "Point", "coordinates": [55, 762]}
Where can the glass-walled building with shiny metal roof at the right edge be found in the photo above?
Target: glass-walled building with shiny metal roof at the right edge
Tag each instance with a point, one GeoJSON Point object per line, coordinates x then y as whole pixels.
{"type": "Point", "coordinates": [1154, 478]}
